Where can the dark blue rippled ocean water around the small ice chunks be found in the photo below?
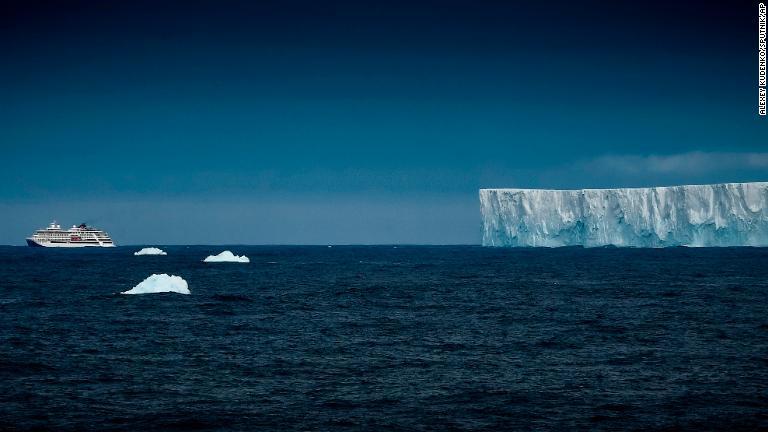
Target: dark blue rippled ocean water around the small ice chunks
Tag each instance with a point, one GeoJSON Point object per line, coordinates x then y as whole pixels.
{"type": "Point", "coordinates": [385, 338]}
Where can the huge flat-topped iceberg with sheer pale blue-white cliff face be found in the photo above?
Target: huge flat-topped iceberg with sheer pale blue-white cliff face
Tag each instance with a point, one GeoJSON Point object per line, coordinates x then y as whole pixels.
{"type": "Point", "coordinates": [731, 214]}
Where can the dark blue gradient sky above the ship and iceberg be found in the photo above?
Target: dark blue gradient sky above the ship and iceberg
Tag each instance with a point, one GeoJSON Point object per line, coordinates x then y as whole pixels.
{"type": "Point", "coordinates": [359, 122]}
